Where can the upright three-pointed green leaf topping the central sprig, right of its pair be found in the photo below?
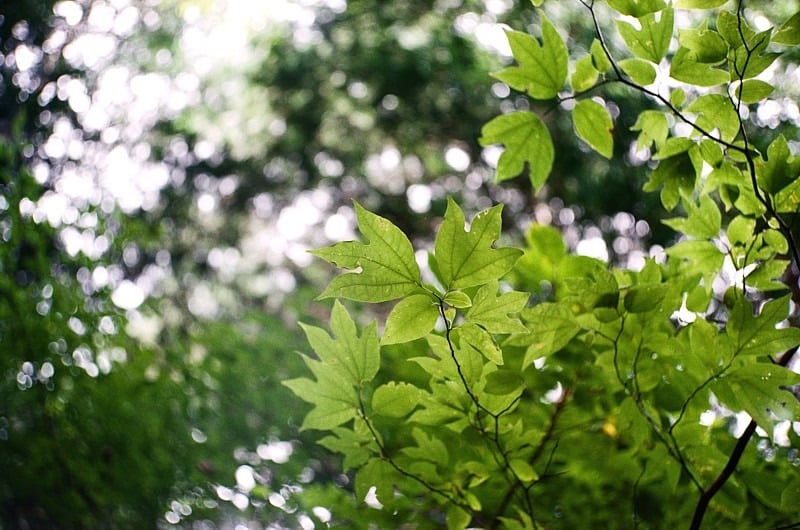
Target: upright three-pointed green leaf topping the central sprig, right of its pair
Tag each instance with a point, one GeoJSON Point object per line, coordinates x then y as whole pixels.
{"type": "Point", "coordinates": [466, 258]}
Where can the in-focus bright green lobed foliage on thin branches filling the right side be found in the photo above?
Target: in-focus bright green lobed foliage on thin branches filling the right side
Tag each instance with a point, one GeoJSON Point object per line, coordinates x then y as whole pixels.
{"type": "Point", "coordinates": [546, 389]}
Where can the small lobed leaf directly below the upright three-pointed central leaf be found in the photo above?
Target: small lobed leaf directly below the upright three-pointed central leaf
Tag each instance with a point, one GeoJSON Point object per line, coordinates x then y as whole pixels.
{"type": "Point", "coordinates": [493, 312]}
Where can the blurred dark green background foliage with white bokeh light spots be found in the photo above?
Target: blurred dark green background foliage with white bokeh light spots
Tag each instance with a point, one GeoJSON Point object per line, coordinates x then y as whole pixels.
{"type": "Point", "coordinates": [164, 167]}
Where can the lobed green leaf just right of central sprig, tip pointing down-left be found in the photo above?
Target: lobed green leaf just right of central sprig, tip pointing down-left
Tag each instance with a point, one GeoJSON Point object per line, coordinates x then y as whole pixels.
{"type": "Point", "coordinates": [551, 327]}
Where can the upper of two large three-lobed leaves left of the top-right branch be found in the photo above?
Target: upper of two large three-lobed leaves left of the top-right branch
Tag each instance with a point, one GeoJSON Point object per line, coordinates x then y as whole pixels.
{"type": "Point", "coordinates": [542, 69]}
